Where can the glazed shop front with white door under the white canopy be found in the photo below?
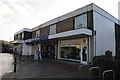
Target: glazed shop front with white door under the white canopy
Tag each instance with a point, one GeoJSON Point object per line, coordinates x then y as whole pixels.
{"type": "Point", "coordinates": [75, 50]}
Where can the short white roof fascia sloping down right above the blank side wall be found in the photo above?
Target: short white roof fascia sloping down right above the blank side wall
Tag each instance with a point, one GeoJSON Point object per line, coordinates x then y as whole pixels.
{"type": "Point", "coordinates": [104, 13]}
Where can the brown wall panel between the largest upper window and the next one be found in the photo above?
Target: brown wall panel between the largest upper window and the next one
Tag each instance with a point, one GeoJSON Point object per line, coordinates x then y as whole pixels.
{"type": "Point", "coordinates": [65, 25]}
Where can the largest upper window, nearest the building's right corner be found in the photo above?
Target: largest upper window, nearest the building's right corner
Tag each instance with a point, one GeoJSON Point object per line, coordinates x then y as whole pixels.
{"type": "Point", "coordinates": [81, 21]}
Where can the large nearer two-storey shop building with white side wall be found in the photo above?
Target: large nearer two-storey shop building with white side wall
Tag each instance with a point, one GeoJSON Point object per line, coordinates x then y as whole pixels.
{"type": "Point", "coordinates": [77, 36]}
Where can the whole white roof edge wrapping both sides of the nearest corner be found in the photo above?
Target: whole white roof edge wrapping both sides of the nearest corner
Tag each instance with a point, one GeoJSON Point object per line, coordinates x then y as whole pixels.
{"type": "Point", "coordinates": [79, 11]}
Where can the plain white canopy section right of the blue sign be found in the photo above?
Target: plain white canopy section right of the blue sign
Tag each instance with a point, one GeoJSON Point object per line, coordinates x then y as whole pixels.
{"type": "Point", "coordinates": [71, 33]}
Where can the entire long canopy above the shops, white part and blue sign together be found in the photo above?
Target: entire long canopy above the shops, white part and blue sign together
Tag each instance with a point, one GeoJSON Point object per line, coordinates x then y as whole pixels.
{"type": "Point", "coordinates": [82, 31]}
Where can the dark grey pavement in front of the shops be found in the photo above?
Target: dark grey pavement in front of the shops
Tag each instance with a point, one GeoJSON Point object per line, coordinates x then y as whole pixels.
{"type": "Point", "coordinates": [47, 68]}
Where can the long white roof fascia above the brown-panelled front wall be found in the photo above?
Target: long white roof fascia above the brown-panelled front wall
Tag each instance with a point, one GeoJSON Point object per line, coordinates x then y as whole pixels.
{"type": "Point", "coordinates": [66, 16]}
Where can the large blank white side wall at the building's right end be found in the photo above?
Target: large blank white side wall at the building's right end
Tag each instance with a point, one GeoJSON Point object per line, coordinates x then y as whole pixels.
{"type": "Point", "coordinates": [105, 34]}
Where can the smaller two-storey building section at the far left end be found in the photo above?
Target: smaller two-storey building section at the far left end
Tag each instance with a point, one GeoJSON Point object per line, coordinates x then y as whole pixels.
{"type": "Point", "coordinates": [20, 47]}
